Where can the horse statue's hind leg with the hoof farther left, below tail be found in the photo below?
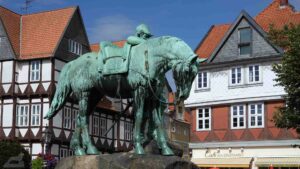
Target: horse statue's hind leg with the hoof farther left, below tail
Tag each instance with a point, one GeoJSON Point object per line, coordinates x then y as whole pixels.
{"type": "Point", "coordinates": [75, 141]}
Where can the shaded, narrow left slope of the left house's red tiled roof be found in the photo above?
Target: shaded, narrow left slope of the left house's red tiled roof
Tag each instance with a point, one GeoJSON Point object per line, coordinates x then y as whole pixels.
{"type": "Point", "coordinates": [11, 22]}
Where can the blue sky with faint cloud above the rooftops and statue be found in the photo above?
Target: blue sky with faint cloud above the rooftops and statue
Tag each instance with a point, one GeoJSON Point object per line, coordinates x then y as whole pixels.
{"type": "Point", "coordinates": [116, 19]}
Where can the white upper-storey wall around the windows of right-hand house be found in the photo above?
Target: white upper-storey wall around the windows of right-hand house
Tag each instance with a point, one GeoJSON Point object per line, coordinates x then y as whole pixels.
{"type": "Point", "coordinates": [220, 92]}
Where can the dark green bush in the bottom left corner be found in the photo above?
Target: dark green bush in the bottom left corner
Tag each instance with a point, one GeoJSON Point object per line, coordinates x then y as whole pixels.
{"type": "Point", "coordinates": [11, 148]}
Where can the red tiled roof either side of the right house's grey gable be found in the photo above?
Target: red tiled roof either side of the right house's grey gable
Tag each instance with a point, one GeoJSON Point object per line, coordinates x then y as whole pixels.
{"type": "Point", "coordinates": [273, 14]}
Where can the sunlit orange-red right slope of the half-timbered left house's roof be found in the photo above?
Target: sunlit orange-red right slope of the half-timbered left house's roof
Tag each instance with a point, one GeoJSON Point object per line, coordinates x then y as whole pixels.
{"type": "Point", "coordinates": [41, 32]}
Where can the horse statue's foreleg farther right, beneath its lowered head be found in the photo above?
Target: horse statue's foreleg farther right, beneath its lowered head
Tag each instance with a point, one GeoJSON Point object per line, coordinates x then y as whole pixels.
{"type": "Point", "coordinates": [161, 136]}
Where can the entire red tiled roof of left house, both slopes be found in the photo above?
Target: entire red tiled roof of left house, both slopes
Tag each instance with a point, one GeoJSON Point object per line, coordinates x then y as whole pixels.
{"type": "Point", "coordinates": [36, 35]}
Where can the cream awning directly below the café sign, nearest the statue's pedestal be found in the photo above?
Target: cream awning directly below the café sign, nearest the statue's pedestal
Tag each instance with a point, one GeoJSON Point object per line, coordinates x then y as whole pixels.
{"type": "Point", "coordinates": [223, 162]}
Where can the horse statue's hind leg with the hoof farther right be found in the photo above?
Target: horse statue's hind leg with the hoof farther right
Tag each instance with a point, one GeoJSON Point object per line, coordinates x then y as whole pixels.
{"type": "Point", "coordinates": [83, 113]}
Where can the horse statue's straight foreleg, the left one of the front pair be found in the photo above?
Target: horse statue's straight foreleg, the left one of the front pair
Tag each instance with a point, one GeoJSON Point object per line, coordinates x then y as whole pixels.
{"type": "Point", "coordinates": [139, 98]}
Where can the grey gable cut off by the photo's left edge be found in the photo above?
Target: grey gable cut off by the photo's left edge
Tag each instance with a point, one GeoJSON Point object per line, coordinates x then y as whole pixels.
{"type": "Point", "coordinates": [5, 45]}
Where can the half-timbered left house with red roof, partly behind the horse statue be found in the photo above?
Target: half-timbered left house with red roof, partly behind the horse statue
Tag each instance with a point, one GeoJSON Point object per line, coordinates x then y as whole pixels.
{"type": "Point", "coordinates": [34, 49]}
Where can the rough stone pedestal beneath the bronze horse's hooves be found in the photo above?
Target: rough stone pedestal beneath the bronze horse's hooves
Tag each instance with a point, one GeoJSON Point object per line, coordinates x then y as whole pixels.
{"type": "Point", "coordinates": [125, 161]}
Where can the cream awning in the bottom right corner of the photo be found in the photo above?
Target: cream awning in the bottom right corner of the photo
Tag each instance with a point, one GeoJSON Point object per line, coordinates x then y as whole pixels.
{"type": "Point", "coordinates": [278, 162]}
